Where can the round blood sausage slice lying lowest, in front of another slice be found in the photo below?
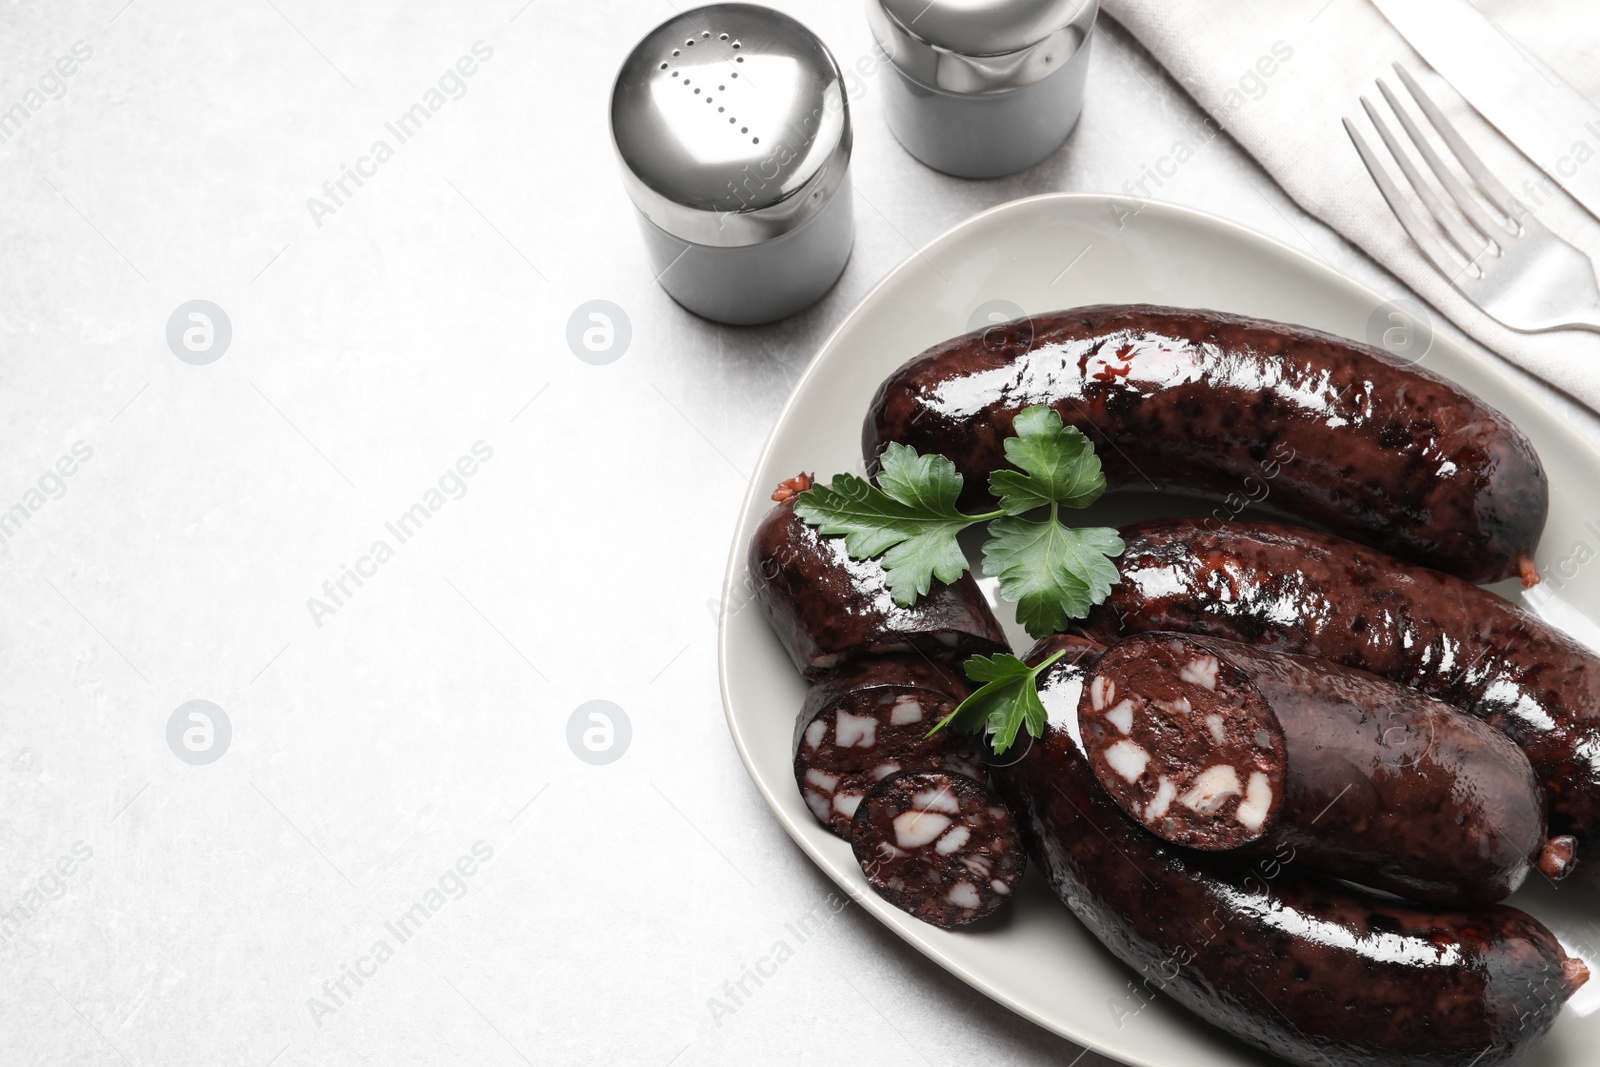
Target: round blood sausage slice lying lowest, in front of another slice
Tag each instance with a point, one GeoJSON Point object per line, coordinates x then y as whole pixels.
{"type": "Point", "coordinates": [940, 847]}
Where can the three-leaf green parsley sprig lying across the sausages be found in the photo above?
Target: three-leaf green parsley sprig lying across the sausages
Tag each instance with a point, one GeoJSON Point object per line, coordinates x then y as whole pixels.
{"type": "Point", "coordinates": [1052, 572]}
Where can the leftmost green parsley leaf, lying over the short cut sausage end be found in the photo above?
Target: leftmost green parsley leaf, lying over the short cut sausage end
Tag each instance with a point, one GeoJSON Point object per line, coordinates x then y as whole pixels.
{"type": "Point", "coordinates": [913, 519]}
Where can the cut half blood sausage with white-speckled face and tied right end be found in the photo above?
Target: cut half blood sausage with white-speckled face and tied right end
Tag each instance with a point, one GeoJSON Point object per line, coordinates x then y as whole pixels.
{"type": "Point", "coordinates": [1222, 746]}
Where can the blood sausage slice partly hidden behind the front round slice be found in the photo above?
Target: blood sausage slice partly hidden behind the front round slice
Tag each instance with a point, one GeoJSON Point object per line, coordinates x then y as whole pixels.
{"type": "Point", "coordinates": [871, 719]}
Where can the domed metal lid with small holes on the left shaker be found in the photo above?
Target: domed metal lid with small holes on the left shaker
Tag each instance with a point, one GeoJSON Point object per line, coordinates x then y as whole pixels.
{"type": "Point", "coordinates": [732, 126]}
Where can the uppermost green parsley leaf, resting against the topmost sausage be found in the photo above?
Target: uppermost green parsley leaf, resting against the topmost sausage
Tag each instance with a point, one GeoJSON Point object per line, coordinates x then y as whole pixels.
{"type": "Point", "coordinates": [1057, 463]}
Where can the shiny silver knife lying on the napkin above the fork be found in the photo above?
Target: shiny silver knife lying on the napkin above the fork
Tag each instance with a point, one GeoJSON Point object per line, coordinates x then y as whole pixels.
{"type": "Point", "coordinates": [1551, 122]}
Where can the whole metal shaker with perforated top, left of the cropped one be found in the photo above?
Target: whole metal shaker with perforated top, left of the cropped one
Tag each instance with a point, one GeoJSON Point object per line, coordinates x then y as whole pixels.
{"type": "Point", "coordinates": [734, 132]}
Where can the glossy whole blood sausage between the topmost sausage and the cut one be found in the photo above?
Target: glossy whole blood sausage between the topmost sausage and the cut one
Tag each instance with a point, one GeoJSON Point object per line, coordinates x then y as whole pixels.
{"type": "Point", "coordinates": [1297, 591]}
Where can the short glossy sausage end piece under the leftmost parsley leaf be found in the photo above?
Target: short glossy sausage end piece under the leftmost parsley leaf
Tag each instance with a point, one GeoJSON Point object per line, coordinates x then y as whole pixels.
{"type": "Point", "coordinates": [828, 609]}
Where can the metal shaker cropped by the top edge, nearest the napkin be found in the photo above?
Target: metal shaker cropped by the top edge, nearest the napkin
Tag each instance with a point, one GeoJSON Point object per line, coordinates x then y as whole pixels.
{"type": "Point", "coordinates": [982, 89]}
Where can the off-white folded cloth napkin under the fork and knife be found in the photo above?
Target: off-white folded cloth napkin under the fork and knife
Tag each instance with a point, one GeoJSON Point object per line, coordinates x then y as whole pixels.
{"type": "Point", "coordinates": [1281, 74]}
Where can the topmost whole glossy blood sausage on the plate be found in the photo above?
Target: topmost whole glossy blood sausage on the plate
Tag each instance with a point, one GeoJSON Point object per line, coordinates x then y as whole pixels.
{"type": "Point", "coordinates": [1220, 406]}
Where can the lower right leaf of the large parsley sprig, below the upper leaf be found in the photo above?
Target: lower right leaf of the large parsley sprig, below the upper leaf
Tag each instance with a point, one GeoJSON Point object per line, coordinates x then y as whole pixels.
{"type": "Point", "coordinates": [1054, 573]}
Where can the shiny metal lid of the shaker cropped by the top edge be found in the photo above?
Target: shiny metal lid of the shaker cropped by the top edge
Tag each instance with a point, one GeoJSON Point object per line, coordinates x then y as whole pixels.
{"type": "Point", "coordinates": [982, 46]}
